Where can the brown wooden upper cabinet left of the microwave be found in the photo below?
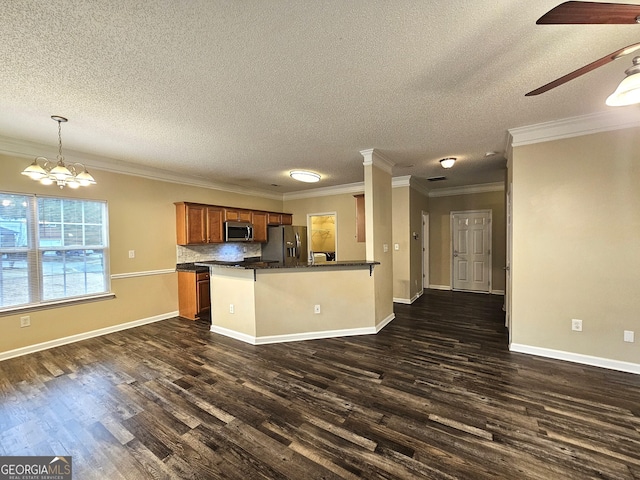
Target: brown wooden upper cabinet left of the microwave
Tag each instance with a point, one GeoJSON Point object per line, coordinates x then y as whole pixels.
{"type": "Point", "coordinates": [198, 224]}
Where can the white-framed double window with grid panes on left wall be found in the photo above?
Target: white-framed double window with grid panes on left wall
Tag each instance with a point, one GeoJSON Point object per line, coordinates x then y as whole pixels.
{"type": "Point", "coordinates": [51, 249]}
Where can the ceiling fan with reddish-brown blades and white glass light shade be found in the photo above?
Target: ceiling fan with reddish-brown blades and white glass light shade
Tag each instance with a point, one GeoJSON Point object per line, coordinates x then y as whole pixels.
{"type": "Point", "coordinates": [592, 13]}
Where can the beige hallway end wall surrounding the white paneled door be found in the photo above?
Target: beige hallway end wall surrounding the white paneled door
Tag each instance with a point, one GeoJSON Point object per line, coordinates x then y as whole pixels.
{"type": "Point", "coordinates": [440, 209]}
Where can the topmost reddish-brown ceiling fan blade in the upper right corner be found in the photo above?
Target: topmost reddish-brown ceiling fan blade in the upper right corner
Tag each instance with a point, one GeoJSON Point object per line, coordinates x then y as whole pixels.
{"type": "Point", "coordinates": [590, 13]}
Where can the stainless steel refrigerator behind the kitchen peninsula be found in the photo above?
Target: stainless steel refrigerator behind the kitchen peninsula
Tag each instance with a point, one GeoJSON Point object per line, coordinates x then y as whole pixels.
{"type": "Point", "coordinates": [286, 244]}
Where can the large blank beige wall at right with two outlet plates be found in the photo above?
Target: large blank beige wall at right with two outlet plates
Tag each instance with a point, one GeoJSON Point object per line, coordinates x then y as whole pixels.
{"type": "Point", "coordinates": [576, 223]}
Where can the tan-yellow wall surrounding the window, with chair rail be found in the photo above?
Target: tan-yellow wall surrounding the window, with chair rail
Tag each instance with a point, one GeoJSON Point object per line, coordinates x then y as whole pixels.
{"type": "Point", "coordinates": [141, 218]}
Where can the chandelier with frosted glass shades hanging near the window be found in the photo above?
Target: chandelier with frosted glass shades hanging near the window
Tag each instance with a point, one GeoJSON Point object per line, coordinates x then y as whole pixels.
{"type": "Point", "coordinates": [48, 172]}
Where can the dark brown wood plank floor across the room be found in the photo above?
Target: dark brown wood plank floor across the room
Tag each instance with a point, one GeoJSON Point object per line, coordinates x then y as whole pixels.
{"type": "Point", "coordinates": [436, 394]}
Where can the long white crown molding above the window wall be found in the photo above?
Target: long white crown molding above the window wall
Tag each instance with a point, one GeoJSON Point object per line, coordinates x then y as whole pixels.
{"type": "Point", "coordinates": [26, 149]}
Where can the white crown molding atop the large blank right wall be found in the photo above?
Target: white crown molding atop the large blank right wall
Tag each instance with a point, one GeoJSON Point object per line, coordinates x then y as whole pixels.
{"type": "Point", "coordinates": [615, 119]}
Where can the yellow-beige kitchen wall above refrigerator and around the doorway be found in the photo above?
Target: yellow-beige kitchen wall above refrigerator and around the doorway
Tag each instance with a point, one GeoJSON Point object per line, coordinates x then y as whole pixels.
{"type": "Point", "coordinates": [345, 207]}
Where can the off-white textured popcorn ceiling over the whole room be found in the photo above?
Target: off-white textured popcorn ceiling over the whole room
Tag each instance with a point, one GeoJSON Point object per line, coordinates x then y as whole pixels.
{"type": "Point", "coordinates": [243, 91]}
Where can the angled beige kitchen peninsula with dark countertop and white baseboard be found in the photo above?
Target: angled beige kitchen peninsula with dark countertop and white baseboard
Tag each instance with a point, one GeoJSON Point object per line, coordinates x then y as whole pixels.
{"type": "Point", "coordinates": [266, 302]}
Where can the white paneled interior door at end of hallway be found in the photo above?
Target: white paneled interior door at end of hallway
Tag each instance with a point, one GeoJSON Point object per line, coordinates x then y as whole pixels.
{"type": "Point", "coordinates": [471, 250]}
